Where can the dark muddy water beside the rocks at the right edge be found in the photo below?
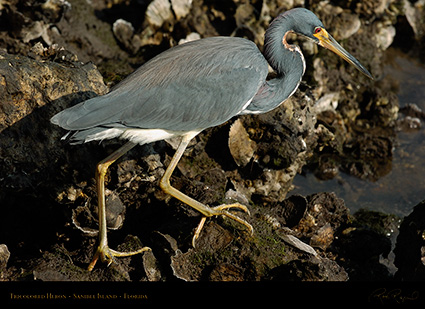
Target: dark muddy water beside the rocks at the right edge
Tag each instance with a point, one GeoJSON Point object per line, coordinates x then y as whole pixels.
{"type": "Point", "coordinates": [404, 187]}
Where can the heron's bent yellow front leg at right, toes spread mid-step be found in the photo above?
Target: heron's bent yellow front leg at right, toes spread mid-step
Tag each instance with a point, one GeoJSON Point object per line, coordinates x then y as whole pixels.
{"type": "Point", "coordinates": [204, 209]}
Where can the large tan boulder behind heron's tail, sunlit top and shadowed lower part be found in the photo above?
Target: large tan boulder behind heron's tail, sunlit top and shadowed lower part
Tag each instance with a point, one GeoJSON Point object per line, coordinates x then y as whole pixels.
{"type": "Point", "coordinates": [31, 92]}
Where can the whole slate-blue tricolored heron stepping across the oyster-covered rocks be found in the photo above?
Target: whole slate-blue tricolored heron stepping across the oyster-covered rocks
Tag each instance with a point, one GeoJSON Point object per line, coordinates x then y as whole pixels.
{"type": "Point", "coordinates": [189, 88]}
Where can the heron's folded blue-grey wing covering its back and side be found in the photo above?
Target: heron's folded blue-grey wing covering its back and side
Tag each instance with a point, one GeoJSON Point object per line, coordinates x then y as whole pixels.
{"type": "Point", "coordinates": [193, 86]}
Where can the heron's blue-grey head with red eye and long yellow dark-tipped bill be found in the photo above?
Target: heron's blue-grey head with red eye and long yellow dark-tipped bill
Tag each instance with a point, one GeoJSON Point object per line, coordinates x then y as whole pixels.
{"type": "Point", "coordinates": [307, 24]}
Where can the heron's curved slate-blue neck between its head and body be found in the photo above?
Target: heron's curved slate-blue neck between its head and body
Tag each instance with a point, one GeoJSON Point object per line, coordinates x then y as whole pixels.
{"type": "Point", "coordinates": [287, 61]}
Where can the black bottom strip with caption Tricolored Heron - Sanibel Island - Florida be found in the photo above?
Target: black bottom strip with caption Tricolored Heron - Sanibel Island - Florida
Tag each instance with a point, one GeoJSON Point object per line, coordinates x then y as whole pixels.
{"type": "Point", "coordinates": [206, 293]}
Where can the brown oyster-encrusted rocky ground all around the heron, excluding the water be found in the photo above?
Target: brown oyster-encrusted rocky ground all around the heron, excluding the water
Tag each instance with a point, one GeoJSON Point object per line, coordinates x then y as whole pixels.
{"type": "Point", "coordinates": [58, 53]}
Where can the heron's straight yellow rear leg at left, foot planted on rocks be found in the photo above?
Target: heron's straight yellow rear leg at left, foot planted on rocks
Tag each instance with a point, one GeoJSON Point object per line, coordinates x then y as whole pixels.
{"type": "Point", "coordinates": [103, 251]}
